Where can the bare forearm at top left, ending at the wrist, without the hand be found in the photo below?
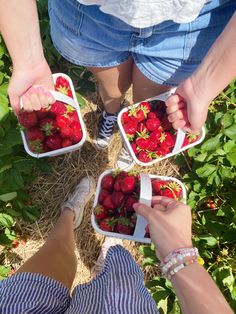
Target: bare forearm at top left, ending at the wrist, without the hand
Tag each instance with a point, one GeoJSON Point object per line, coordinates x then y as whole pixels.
{"type": "Point", "coordinates": [19, 26]}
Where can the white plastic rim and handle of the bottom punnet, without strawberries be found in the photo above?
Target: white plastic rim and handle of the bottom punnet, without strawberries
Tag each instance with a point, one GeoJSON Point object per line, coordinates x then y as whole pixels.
{"type": "Point", "coordinates": [145, 197]}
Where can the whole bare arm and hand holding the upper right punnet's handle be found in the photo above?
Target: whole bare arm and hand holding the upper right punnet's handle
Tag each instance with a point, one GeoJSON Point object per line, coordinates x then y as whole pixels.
{"type": "Point", "coordinates": [215, 72]}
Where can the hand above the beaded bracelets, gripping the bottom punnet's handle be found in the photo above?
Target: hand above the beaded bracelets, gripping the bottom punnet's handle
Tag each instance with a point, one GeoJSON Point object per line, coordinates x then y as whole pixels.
{"type": "Point", "coordinates": [169, 224]}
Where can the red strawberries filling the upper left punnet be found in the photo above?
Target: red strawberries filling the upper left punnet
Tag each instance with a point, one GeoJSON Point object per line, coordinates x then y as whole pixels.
{"type": "Point", "coordinates": [54, 127]}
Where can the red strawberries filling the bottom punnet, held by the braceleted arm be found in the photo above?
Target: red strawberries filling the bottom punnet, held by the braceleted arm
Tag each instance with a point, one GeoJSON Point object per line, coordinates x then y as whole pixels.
{"type": "Point", "coordinates": [118, 192]}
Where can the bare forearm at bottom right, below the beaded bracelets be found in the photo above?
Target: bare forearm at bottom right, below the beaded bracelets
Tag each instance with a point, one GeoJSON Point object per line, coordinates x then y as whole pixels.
{"type": "Point", "coordinates": [197, 292]}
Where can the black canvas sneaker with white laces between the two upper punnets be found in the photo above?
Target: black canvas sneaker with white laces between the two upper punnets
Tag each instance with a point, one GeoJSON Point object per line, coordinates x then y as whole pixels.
{"type": "Point", "coordinates": [106, 128]}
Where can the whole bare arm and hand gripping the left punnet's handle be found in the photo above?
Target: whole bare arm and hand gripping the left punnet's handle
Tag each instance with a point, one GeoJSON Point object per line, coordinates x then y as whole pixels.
{"type": "Point", "coordinates": [19, 26]}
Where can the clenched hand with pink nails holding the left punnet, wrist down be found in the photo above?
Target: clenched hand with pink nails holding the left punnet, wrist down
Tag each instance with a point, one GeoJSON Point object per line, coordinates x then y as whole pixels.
{"type": "Point", "coordinates": [31, 82]}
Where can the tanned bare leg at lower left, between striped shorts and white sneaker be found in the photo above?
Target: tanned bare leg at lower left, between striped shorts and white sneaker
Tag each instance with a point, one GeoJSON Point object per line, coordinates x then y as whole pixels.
{"type": "Point", "coordinates": [56, 258]}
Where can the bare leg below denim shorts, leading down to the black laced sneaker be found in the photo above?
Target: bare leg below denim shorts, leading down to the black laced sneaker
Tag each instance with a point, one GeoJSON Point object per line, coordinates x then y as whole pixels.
{"type": "Point", "coordinates": [113, 84]}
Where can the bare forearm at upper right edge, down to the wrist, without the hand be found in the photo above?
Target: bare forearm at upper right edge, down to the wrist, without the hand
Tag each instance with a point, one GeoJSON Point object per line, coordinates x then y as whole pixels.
{"type": "Point", "coordinates": [218, 68]}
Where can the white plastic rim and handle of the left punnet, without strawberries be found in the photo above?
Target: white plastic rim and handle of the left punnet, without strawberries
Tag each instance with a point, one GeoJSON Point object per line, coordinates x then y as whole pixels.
{"type": "Point", "coordinates": [69, 101]}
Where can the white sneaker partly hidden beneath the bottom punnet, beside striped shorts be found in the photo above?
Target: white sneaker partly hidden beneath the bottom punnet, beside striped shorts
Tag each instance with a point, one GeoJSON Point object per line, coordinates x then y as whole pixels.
{"type": "Point", "coordinates": [98, 266]}
